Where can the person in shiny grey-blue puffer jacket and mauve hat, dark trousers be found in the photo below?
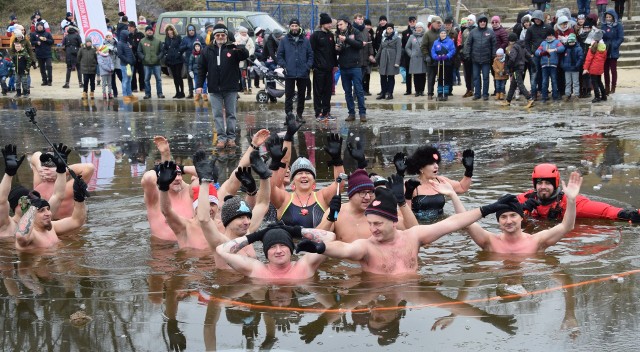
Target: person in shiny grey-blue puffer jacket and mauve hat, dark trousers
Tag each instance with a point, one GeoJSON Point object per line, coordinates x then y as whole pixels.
{"type": "Point", "coordinates": [480, 48]}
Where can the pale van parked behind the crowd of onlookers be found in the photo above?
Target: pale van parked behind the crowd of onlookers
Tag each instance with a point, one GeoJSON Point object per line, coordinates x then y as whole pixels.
{"type": "Point", "coordinates": [232, 19]}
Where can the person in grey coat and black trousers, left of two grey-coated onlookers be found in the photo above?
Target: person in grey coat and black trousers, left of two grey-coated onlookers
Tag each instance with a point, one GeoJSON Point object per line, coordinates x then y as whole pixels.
{"type": "Point", "coordinates": [388, 59]}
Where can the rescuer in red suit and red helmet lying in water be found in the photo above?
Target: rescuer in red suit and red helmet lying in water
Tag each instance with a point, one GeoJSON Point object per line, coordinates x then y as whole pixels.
{"type": "Point", "coordinates": [547, 200]}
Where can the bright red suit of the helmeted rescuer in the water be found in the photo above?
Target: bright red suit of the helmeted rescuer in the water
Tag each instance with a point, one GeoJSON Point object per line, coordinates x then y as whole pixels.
{"type": "Point", "coordinates": [585, 208]}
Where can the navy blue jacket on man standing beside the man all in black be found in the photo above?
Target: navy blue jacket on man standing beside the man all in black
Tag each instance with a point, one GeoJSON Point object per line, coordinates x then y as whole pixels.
{"type": "Point", "coordinates": [296, 56]}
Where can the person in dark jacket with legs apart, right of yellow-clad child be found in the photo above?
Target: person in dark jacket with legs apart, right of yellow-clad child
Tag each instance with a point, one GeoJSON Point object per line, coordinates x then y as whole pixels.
{"type": "Point", "coordinates": [517, 59]}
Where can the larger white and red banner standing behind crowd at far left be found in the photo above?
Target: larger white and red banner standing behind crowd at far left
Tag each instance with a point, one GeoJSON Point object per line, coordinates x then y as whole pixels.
{"type": "Point", "coordinates": [90, 18]}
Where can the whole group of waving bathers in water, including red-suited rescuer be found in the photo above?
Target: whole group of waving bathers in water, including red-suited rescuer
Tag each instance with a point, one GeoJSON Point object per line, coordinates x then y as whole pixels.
{"type": "Point", "coordinates": [377, 227]}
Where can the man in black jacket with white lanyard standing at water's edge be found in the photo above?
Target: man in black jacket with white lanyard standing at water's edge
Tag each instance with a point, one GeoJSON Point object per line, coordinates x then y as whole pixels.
{"type": "Point", "coordinates": [219, 66]}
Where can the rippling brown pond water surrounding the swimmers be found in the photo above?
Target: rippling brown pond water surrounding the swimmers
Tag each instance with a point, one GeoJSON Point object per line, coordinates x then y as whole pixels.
{"type": "Point", "coordinates": [147, 296]}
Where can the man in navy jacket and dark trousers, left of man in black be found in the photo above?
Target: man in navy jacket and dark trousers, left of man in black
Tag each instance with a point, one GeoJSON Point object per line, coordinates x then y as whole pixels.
{"type": "Point", "coordinates": [296, 56]}
